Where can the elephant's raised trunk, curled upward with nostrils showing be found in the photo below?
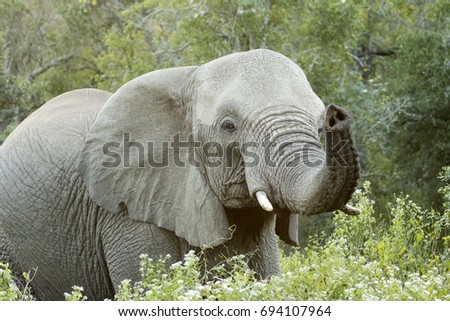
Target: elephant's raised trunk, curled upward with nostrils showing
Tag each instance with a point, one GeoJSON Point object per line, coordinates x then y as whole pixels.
{"type": "Point", "coordinates": [324, 181]}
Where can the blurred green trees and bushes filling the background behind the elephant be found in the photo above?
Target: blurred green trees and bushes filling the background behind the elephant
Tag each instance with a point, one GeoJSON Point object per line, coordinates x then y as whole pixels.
{"type": "Point", "coordinates": [385, 61]}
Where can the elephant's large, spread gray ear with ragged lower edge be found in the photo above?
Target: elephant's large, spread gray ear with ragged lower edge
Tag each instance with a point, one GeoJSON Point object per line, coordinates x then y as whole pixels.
{"type": "Point", "coordinates": [128, 161]}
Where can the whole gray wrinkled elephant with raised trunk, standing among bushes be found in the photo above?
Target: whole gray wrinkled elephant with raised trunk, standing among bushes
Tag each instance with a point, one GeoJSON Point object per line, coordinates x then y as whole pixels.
{"type": "Point", "coordinates": [79, 222]}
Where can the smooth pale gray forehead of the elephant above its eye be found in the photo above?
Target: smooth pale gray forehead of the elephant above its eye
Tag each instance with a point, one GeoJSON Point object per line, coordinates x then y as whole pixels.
{"type": "Point", "coordinates": [251, 81]}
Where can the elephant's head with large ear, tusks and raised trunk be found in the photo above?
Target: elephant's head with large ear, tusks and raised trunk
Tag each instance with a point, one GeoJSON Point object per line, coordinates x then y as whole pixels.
{"type": "Point", "coordinates": [178, 147]}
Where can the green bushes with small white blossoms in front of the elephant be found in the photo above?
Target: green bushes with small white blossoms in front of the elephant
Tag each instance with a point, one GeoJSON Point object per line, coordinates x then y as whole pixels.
{"type": "Point", "coordinates": [407, 258]}
